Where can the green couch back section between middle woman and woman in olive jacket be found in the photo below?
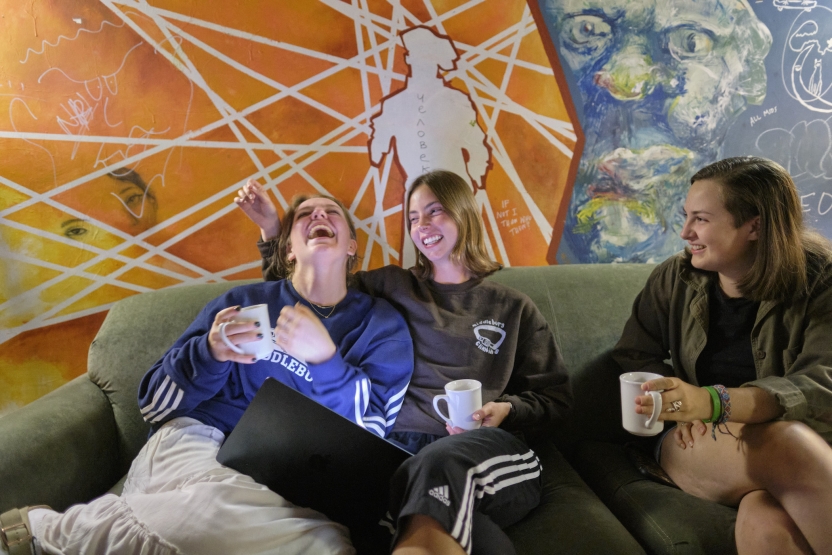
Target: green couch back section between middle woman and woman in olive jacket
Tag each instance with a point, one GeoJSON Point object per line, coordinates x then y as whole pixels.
{"type": "Point", "coordinates": [586, 306]}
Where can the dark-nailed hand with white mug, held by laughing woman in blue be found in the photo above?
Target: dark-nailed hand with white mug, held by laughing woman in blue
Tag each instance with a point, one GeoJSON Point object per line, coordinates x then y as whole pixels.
{"type": "Point", "coordinates": [240, 335]}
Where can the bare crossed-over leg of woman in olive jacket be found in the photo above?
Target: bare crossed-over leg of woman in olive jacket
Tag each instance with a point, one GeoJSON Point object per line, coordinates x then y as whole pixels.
{"type": "Point", "coordinates": [786, 459]}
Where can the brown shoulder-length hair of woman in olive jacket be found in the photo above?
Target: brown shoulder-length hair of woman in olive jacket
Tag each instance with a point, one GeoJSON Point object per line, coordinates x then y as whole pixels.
{"type": "Point", "coordinates": [752, 187]}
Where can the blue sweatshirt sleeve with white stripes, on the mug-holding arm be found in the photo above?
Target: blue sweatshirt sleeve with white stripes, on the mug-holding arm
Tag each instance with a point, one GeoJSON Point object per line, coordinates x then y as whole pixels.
{"type": "Point", "coordinates": [186, 375]}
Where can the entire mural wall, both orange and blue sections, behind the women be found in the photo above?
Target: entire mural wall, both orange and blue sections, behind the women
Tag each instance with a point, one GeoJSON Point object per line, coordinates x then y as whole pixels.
{"type": "Point", "coordinates": [127, 126]}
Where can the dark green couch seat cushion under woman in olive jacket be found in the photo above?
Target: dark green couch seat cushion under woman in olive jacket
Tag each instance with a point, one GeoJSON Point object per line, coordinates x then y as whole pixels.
{"type": "Point", "coordinates": [665, 520]}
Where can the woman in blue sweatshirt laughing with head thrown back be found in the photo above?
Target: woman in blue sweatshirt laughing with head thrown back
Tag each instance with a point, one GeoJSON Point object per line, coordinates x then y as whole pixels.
{"type": "Point", "coordinates": [345, 349]}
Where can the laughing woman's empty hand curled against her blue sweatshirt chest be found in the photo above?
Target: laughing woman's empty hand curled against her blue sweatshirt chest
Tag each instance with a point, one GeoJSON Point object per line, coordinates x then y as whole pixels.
{"type": "Point", "coordinates": [301, 334]}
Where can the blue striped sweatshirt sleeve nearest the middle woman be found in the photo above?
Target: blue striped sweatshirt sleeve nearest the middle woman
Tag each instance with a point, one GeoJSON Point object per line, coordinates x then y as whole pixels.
{"type": "Point", "coordinates": [367, 383]}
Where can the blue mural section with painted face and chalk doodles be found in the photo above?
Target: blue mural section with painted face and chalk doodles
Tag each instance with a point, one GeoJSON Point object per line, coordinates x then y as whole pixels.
{"type": "Point", "coordinates": [664, 87]}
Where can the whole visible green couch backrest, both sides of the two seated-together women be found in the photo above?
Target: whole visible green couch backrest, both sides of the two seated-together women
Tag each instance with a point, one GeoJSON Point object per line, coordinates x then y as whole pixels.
{"type": "Point", "coordinates": [586, 306]}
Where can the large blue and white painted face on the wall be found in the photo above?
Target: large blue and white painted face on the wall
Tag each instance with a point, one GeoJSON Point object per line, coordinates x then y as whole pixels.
{"type": "Point", "coordinates": [661, 82]}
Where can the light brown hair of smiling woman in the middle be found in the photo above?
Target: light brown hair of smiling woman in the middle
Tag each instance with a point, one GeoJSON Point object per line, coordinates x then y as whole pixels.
{"type": "Point", "coordinates": [457, 198]}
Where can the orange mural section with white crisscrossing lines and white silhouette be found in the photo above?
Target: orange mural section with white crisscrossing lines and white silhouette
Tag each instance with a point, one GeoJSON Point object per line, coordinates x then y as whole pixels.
{"type": "Point", "coordinates": [126, 128]}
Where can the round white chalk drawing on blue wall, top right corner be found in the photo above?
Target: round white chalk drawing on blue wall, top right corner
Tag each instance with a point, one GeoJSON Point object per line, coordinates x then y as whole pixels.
{"type": "Point", "coordinates": [807, 55]}
